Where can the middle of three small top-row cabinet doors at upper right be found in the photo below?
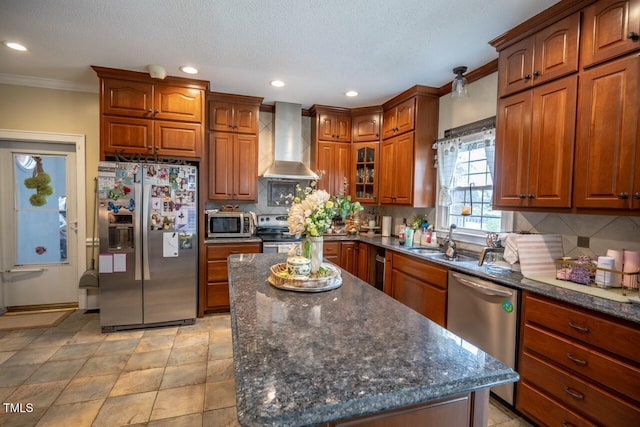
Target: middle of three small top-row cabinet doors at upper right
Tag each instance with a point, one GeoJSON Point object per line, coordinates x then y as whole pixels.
{"type": "Point", "coordinates": [556, 50]}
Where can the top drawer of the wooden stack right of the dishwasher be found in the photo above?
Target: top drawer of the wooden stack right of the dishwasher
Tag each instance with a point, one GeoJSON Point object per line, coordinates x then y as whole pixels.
{"type": "Point", "coordinates": [617, 336]}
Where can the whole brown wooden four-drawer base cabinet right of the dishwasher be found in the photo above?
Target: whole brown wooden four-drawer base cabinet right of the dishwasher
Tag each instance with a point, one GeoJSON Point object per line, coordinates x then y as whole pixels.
{"type": "Point", "coordinates": [577, 366]}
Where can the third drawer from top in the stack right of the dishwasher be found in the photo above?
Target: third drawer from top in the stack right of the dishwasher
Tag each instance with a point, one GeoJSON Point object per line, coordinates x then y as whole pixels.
{"type": "Point", "coordinates": [575, 393]}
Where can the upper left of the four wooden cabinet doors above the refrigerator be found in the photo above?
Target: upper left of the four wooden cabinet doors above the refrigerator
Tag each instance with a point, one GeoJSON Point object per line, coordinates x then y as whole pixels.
{"type": "Point", "coordinates": [126, 98]}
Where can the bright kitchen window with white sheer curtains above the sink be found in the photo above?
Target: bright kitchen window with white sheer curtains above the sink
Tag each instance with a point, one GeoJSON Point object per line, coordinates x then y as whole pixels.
{"type": "Point", "coordinates": [465, 176]}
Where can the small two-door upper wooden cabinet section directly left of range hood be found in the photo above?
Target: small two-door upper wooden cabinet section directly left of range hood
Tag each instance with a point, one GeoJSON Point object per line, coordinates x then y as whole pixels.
{"type": "Point", "coordinates": [233, 113]}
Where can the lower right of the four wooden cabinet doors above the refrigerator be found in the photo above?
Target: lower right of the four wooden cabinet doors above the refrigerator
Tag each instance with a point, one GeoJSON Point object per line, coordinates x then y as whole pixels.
{"type": "Point", "coordinates": [178, 139]}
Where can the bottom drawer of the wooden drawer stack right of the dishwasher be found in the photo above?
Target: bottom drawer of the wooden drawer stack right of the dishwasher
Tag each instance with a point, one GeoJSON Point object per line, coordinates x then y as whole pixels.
{"type": "Point", "coordinates": [546, 410]}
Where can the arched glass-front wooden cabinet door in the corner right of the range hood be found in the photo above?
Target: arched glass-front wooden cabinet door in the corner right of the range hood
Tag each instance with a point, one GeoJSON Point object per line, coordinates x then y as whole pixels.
{"type": "Point", "coordinates": [365, 172]}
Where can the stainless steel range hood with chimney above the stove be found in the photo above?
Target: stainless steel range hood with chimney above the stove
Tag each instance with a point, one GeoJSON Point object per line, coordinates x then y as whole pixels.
{"type": "Point", "coordinates": [287, 130]}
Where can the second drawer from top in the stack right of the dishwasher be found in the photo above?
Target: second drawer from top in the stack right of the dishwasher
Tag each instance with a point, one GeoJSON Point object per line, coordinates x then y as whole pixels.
{"type": "Point", "coordinates": [591, 364]}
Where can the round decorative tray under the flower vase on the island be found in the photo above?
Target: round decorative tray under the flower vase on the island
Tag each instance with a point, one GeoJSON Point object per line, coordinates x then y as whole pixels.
{"type": "Point", "coordinates": [279, 279]}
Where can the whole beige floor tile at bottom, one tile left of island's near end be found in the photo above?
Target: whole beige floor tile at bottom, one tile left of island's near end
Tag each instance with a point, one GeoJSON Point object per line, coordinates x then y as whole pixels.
{"type": "Point", "coordinates": [175, 402]}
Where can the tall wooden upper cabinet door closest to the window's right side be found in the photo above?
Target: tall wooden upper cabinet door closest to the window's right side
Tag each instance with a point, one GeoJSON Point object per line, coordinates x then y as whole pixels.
{"type": "Point", "coordinates": [513, 140]}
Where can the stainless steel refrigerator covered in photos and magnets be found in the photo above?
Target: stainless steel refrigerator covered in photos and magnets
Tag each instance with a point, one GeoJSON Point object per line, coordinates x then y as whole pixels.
{"type": "Point", "coordinates": [147, 222]}
